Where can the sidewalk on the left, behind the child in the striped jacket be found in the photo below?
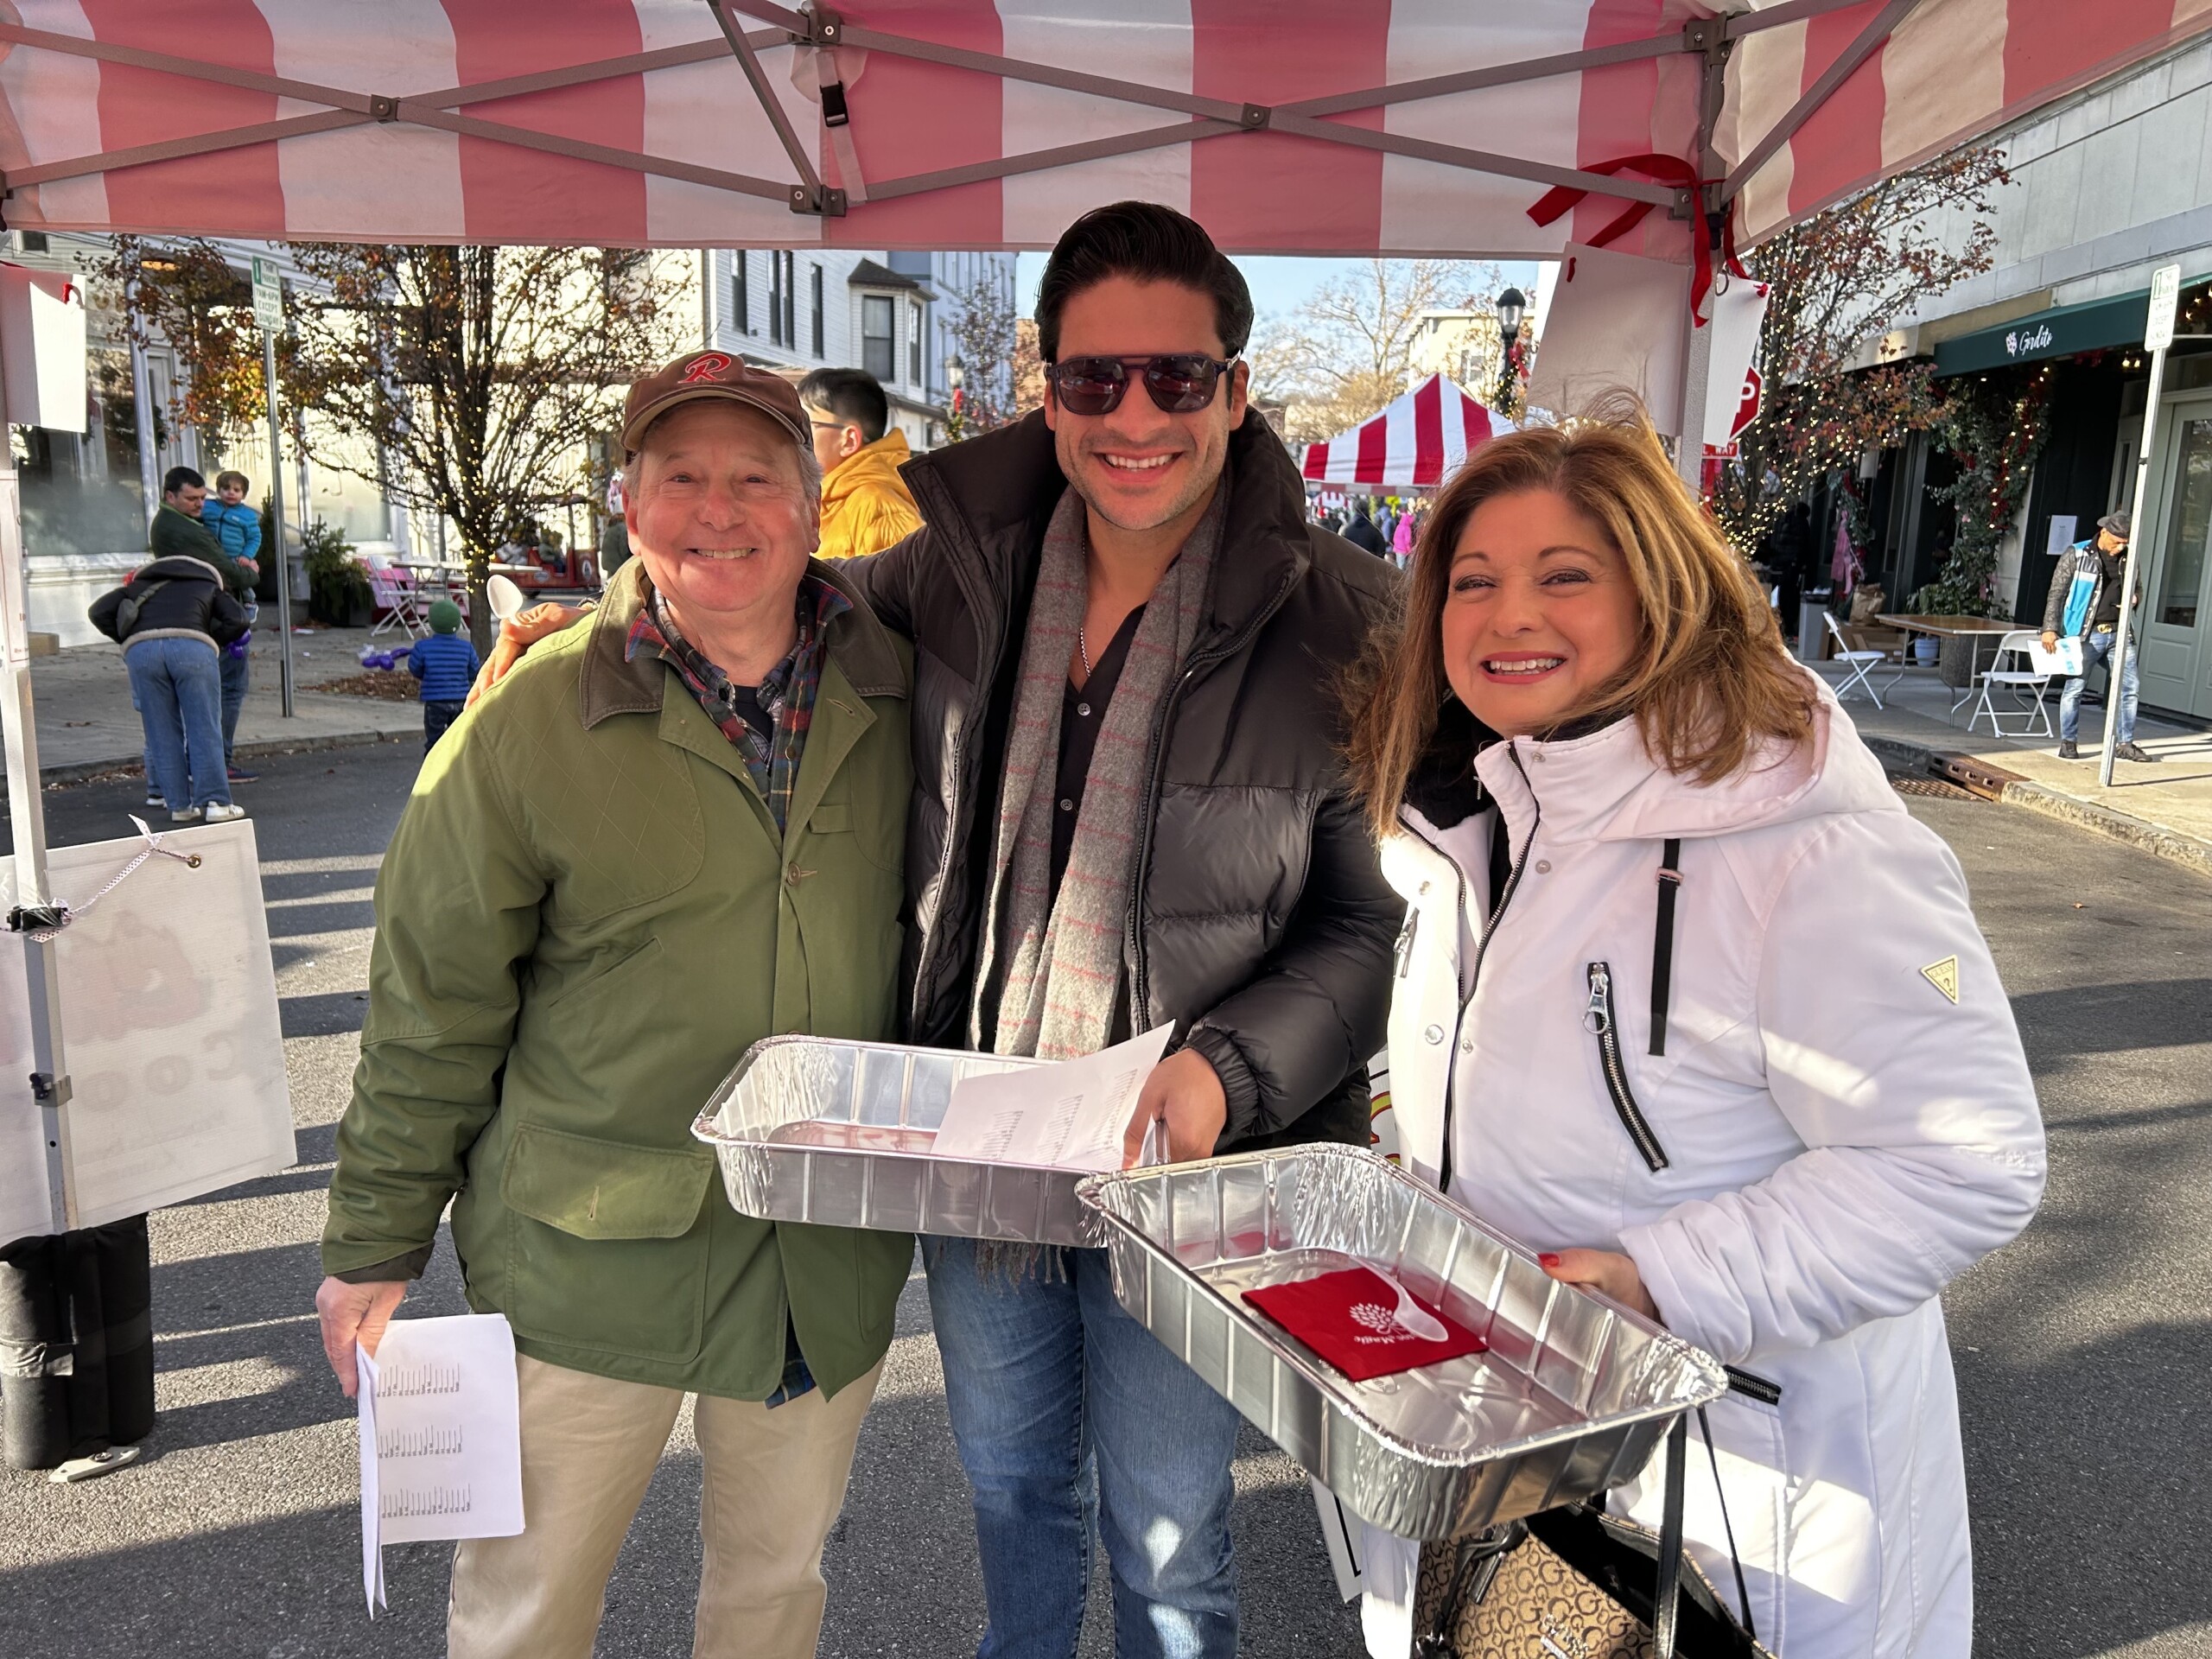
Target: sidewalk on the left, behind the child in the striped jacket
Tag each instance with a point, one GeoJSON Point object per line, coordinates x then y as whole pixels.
{"type": "Point", "coordinates": [87, 724]}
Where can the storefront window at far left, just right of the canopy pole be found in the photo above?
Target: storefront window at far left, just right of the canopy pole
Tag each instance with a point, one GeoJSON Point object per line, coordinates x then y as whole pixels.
{"type": "Point", "coordinates": [81, 492]}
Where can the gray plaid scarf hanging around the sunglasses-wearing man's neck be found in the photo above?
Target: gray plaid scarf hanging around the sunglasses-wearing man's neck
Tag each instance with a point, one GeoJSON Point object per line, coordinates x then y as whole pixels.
{"type": "Point", "coordinates": [1056, 966]}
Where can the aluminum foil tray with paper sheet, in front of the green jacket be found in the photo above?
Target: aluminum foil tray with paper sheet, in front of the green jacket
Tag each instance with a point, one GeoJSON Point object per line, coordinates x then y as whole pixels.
{"type": "Point", "coordinates": [811, 1129]}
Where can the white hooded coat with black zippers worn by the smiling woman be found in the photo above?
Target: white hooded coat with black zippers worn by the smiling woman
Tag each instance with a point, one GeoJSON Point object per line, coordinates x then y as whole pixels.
{"type": "Point", "coordinates": [1844, 1109]}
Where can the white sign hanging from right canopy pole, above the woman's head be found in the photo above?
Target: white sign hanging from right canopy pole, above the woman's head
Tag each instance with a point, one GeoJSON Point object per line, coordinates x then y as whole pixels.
{"type": "Point", "coordinates": [1616, 326]}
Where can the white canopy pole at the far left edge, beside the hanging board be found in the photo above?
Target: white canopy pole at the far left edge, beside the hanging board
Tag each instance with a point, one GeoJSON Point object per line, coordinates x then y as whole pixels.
{"type": "Point", "coordinates": [28, 822]}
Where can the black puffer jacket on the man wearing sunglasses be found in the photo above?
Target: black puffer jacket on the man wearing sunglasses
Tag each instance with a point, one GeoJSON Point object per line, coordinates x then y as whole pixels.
{"type": "Point", "coordinates": [1262, 924]}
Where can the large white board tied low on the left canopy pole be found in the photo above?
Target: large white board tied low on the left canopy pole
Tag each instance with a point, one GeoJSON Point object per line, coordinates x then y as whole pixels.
{"type": "Point", "coordinates": [169, 1030]}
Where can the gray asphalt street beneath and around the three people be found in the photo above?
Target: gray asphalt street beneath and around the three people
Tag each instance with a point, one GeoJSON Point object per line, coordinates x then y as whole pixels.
{"type": "Point", "coordinates": [2083, 1350]}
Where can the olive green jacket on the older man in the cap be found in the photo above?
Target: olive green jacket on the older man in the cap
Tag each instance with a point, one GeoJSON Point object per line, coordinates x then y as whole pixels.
{"type": "Point", "coordinates": [583, 924]}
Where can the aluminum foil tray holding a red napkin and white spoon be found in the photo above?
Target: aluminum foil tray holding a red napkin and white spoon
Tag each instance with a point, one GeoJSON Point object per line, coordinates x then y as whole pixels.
{"type": "Point", "coordinates": [1572, 1397]}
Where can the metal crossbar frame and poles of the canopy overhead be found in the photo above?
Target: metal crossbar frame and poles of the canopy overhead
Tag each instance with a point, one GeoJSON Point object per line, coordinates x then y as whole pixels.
{"type": "Point", "coordinates": [448, 109]}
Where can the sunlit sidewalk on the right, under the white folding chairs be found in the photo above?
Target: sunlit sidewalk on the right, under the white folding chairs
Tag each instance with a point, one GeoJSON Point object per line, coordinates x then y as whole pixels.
{"type": "Point", "coordinates": [2162, 808]}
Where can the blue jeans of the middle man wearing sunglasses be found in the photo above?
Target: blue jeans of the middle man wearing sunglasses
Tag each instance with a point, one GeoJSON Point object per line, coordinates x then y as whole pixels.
{"type": "Point", "coordinates": [1067, 1410]}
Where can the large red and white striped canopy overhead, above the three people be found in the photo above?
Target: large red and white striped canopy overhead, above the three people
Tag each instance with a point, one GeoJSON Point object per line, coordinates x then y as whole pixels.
{"type": "Point", "coordinates": [1282, 125]}
